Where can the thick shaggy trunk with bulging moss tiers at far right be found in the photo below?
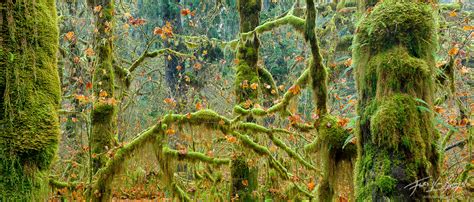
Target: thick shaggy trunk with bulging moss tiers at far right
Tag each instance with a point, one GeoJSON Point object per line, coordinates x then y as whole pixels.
{"type": "Point", "coordinates": [394, 63]}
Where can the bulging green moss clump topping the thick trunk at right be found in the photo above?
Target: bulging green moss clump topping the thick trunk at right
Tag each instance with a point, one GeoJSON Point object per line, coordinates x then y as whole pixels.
{"type": "Point", "coordinates": [394, 23]}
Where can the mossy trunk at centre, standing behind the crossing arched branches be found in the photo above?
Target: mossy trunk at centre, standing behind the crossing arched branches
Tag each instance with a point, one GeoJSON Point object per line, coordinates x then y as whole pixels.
{"type": "Point", "coordinates": [244, 178]}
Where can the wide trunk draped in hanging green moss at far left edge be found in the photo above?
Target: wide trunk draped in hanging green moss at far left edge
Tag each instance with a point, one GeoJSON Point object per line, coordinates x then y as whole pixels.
{"type": "Point", "coordinates": [29, 98]}
